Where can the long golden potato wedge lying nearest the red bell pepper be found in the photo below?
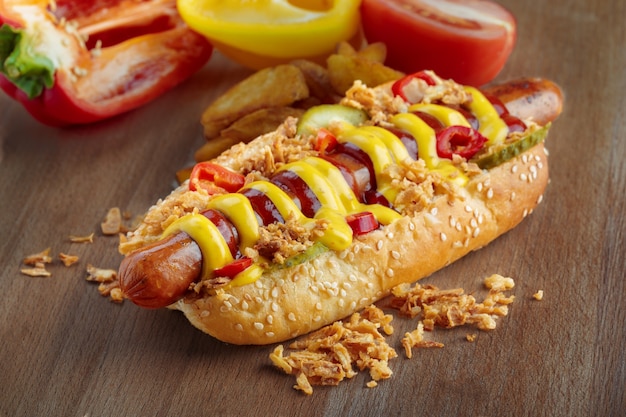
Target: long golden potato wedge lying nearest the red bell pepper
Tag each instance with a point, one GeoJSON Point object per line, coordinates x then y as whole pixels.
{"type": "Point", "coordinates": [278, 86]}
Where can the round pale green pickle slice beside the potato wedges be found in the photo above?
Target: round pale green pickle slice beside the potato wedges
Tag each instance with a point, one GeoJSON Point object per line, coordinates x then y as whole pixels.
{"type": "Point", "coordinates": [325, 114]}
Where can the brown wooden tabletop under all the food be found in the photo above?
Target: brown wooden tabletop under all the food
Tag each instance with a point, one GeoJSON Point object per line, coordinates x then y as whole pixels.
{"type": "Point", "coordinates": [67, 351]}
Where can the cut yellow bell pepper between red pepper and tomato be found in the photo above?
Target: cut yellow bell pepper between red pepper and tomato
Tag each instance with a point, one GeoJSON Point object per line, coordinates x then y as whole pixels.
{"type": "Point", "coordinates": [261, 33]}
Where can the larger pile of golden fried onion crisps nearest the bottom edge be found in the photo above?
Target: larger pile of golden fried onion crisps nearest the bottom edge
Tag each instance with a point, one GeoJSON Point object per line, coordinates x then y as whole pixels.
{"type": "Point", "coordinates": [329, 355]}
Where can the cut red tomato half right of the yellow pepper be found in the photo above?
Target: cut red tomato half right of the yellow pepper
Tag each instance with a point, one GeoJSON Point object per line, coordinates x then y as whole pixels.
{"type": "Point", "coordinates": [466, 40]}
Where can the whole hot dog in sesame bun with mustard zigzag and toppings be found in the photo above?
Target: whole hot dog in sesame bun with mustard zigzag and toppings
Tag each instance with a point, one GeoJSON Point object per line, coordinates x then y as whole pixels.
{"type": "Point", "coordinates": [326, 215]}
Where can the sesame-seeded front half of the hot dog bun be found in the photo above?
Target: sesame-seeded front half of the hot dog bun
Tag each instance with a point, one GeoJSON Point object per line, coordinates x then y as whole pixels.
{"type": "Point", "coordinates": [289, 302]}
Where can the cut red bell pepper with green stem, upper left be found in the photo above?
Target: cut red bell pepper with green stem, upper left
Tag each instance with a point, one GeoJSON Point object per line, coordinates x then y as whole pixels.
{"type": "Point", "coordinates": [76, 62]}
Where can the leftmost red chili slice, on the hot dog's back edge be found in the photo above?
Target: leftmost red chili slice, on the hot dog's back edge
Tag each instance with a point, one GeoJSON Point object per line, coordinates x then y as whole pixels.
{"type": "Point", "coordinates": [214, 178]}
